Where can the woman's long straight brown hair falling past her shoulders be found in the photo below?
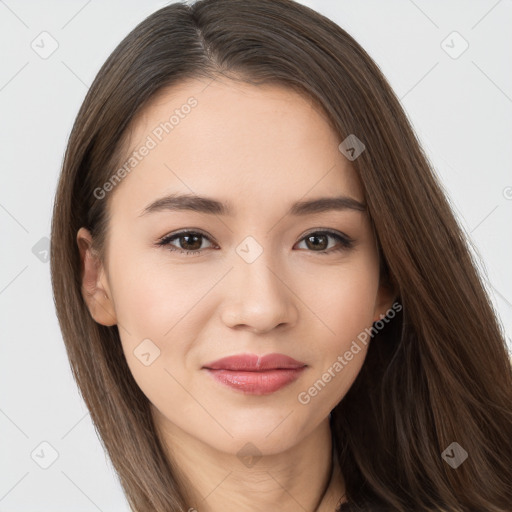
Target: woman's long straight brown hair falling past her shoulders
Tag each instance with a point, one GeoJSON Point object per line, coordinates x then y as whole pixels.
{"type": "Point", "coordinates": [438, 373]}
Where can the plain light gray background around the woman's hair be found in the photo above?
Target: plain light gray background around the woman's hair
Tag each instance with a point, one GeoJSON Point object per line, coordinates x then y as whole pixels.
{"type": "Point", "coordinates": [461, 109]}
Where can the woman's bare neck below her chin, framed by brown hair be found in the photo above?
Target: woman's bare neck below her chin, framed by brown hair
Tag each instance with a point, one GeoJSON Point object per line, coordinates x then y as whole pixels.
{"type": "Point", "coordinates": [305, 477]}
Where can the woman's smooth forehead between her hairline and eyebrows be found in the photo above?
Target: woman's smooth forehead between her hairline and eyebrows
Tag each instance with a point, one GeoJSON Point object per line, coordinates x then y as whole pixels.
{"type": "Point", "coordinates": [235, 141]}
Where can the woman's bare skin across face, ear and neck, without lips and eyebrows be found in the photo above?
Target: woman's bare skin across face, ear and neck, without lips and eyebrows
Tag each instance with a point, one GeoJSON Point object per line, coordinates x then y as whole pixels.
{"type": "Point", "coordinates": [260, 149]}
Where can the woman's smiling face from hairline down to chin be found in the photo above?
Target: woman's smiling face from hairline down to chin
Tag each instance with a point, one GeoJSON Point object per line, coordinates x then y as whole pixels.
{"type": "Point", "coordinates": [264, 273]}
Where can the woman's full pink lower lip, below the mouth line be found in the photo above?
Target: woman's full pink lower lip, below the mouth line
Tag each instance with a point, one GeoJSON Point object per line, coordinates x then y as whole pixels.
{"type": "Point", "coordinates": [257, 383]}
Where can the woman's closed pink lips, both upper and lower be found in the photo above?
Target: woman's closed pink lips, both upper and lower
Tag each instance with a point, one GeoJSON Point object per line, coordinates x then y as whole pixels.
{"type": "Point", "coordinates": [256, 375]}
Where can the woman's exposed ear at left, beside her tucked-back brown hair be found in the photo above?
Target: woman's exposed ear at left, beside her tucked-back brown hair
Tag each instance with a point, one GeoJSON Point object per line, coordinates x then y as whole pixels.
{"type": "Point", "coordinates": [95, 289]}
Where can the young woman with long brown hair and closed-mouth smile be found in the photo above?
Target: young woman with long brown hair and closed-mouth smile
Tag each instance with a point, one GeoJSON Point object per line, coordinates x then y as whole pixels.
{"type": "Point", "coordinates": [227, 362]}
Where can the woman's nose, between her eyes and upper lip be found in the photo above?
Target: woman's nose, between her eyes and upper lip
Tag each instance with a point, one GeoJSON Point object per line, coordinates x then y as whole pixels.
{"type": "Point", "coordinates": [257, 296]}
